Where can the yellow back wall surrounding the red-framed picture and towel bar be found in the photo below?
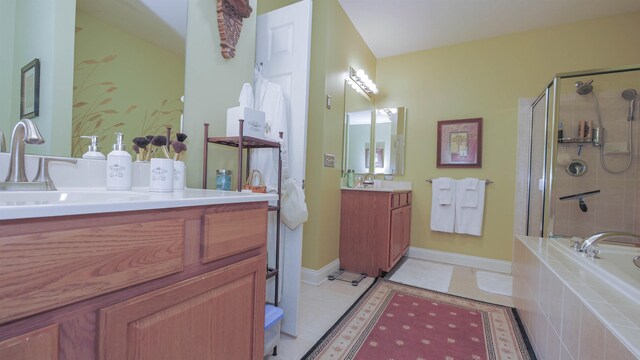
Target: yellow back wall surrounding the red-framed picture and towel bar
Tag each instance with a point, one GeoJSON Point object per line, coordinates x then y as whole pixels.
{"type": "Point", "coordinates": [485, 79]}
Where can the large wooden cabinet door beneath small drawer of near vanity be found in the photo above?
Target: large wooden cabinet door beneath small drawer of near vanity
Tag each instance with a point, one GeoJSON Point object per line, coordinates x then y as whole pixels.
{"type": "Point", "coordinates": [218, 315]}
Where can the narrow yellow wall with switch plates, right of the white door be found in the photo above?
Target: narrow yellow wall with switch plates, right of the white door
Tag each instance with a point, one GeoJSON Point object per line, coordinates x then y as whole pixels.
{"type": "Point", "coordinates": [335, 46]}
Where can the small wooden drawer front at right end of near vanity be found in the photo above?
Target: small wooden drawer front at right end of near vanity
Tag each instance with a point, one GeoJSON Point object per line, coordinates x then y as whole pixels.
{"type": "Point", "coordinates": [232, 232]}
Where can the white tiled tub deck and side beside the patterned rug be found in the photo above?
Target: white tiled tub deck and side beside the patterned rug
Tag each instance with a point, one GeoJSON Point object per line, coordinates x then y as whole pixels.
{"type": "Point", "coordinates": [568, 313]}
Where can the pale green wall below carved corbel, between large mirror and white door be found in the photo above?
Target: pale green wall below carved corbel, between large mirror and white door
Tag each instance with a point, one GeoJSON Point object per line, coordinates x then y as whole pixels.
{"type": "Point", "coordinates": [212, 85]}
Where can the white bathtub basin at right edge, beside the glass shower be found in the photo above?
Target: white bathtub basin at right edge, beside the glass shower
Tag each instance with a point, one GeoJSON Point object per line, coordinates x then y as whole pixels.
{"type": "Point", "coordinates": [615, 265]}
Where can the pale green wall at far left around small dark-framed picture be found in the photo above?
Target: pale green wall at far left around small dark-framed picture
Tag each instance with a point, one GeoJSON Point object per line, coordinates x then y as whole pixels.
{"type": "Point", "coordinates": [41, 29]}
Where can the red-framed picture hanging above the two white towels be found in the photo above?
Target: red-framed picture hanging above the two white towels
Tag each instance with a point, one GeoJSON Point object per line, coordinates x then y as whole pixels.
{"type": "Point", "coordinates": [459, 143]}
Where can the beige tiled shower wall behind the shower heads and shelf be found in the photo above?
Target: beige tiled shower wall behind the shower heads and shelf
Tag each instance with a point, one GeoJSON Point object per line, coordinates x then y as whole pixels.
{"type": "Point", "coordinates": [617, 206]}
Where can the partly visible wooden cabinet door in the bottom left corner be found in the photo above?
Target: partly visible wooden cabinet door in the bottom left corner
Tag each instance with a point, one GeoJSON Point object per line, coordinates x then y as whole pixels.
{"type": "Point", "coordinates": [40, 344]}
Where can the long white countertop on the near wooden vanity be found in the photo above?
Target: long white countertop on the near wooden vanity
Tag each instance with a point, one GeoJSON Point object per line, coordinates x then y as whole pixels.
{"type": "Point", "coordinates": [34, 204]}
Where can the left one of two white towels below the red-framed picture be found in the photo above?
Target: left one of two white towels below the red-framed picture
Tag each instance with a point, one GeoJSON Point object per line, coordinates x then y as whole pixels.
{"type": "Point", "coordinates": [443, 213]}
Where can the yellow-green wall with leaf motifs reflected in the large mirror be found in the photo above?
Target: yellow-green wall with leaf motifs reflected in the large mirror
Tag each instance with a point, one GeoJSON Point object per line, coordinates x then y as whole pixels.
{"type": "Point", "coordinates": [122, 83]}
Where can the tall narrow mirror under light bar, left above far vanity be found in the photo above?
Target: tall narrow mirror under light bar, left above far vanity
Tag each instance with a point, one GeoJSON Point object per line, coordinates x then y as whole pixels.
{"type": "Point", "coordinates": [358, 120]}
